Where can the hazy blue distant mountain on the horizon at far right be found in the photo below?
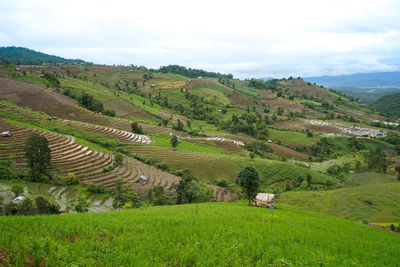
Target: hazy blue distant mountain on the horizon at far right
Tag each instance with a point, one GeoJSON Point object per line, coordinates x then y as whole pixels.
{"type": "Point", "coordinates": [359, 80]}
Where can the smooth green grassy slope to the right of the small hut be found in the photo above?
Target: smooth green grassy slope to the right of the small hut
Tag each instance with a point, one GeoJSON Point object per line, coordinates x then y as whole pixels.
{"type": "Point", "coordinates": [375, 202]}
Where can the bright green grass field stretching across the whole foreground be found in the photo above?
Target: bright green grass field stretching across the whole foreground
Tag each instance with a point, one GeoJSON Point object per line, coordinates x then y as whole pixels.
{"type": "Point", "coordinates": [221, 234]}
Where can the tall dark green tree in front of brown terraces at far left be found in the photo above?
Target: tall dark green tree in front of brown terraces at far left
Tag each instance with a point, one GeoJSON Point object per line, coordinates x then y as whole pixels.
{"type": "Point", "coordinates": [38, 153]}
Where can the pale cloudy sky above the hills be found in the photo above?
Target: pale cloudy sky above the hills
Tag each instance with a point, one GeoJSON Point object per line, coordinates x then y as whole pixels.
{"type": "Point", "coordinates": [250, 38]}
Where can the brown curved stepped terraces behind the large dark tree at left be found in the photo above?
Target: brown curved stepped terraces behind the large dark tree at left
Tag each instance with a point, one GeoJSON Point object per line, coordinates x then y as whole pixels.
{"type": "Point", "coordinates": [70, 157]}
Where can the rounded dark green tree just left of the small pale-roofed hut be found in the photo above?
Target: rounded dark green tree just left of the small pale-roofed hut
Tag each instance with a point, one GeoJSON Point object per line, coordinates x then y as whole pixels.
{"type": "Point", "coordinates": [249, 180]}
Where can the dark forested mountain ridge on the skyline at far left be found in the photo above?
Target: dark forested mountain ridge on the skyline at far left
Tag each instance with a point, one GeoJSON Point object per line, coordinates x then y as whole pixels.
{"type": "Point", "coordinates": [21, 55]}
